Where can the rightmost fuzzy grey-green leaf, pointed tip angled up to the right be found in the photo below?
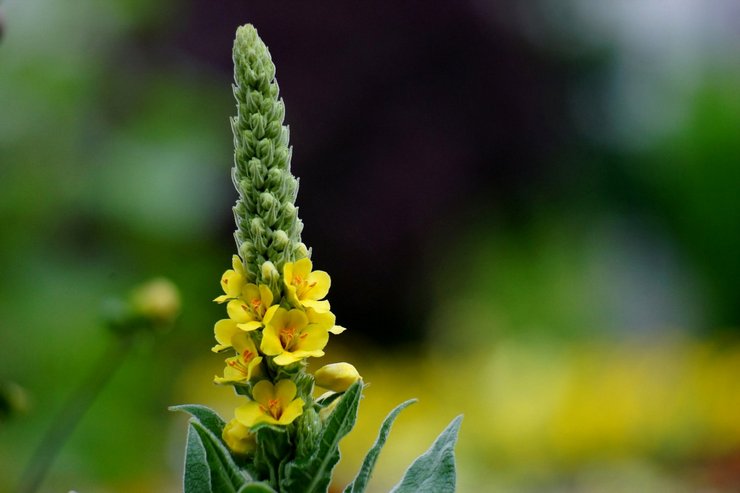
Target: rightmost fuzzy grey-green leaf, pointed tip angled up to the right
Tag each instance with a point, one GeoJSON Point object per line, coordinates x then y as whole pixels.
{"type": "Point", "coordinates": [434, 470]}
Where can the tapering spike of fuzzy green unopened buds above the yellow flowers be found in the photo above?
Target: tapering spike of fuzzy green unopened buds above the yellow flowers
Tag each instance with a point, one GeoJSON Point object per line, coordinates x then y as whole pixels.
{"type": "Point", "coordinates": [268, 228]}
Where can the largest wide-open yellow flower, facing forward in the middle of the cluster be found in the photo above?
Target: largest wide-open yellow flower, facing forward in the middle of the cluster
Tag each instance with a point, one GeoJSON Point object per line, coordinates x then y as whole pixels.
{"type": "Point", "coordinates": [291, 336]}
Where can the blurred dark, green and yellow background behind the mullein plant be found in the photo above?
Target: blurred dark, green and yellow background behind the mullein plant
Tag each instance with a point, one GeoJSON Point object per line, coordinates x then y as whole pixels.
{"type": "Point", "coordinates": [529, 210]}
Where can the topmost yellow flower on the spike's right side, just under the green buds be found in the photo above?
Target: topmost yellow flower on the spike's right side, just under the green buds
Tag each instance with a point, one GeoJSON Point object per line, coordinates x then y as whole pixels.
{"type": "Point", "coordinates": [304, 287]}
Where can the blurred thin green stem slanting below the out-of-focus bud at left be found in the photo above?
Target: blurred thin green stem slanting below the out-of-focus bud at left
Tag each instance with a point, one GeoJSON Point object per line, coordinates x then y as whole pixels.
{"type": "Point", "coordinates": [74, 409]}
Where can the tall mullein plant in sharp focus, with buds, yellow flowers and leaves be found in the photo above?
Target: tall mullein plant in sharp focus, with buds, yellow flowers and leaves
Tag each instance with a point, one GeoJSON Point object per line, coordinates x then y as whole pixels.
{"type": "Point", "coordinates": [282, 438]}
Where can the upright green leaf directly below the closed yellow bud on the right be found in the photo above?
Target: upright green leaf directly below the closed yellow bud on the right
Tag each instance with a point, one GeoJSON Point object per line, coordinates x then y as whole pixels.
{"type": "Point", "coordinates": [314, 474]}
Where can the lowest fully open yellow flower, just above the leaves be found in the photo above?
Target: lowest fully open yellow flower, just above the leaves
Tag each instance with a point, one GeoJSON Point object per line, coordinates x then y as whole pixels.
{"type": "Point", "coordinates": [275, 405]}
